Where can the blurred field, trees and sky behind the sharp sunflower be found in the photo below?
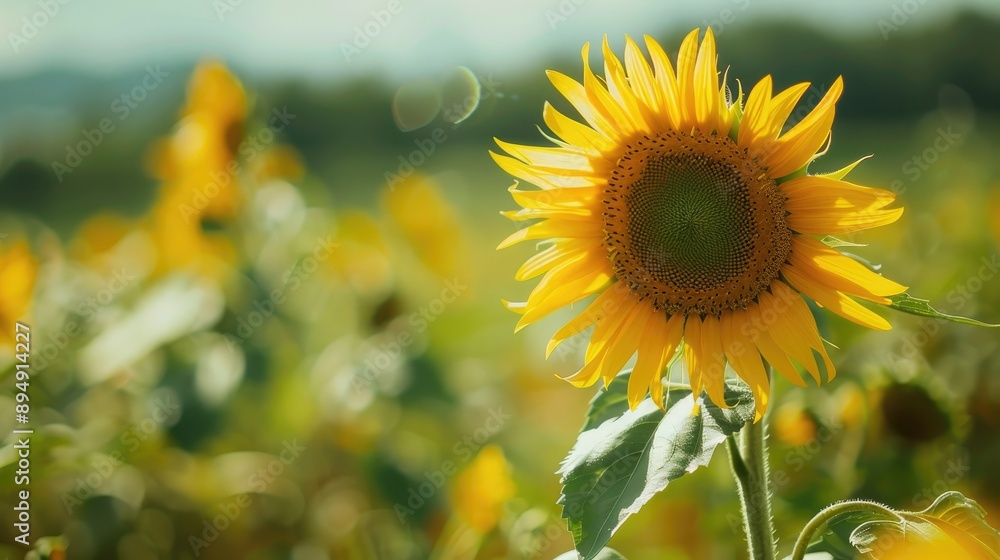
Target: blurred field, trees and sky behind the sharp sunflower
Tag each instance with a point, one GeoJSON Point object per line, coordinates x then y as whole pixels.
{"type": "Point", "coordinates": [254, 243]}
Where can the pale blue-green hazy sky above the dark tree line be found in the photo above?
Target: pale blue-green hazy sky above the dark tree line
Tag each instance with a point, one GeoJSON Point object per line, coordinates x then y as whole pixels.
{"type": "Point", "coordinates": [328, 40]}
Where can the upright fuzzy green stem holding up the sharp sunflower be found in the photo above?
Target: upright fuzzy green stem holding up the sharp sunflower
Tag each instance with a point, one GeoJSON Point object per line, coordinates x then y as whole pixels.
{"type": "Point", "coordinates": [748, 454]}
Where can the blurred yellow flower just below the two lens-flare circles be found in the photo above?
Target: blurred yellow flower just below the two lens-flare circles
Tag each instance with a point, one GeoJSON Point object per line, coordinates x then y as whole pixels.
{"type": "Point", "coordinates": [428, 223]}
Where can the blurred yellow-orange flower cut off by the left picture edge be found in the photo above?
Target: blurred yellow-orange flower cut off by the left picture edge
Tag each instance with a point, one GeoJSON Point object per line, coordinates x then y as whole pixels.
{"type": "Point", "coordinates": [18, 271]}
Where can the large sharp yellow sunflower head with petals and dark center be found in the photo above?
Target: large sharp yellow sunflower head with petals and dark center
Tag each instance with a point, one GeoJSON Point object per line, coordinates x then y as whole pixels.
{"type": "Point", "coordinates": [694, 222]}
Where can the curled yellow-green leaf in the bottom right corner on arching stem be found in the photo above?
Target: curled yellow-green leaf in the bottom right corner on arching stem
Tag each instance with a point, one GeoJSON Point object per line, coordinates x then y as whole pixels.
{"type": "Point", "coordinates": [953, 526]}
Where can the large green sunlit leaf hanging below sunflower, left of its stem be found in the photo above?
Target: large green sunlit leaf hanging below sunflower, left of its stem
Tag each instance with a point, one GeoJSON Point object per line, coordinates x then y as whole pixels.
{"type": "Point", "coordinates": [617, 466]}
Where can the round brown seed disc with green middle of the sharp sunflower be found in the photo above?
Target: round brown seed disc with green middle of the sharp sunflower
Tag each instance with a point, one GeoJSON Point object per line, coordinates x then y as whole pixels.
{"type": "Point", "coordinates": [694, 224]}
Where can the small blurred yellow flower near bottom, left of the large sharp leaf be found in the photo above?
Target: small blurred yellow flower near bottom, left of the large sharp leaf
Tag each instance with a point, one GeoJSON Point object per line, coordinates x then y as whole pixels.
{"type": "Point", "coordinates": [482, 489]}
